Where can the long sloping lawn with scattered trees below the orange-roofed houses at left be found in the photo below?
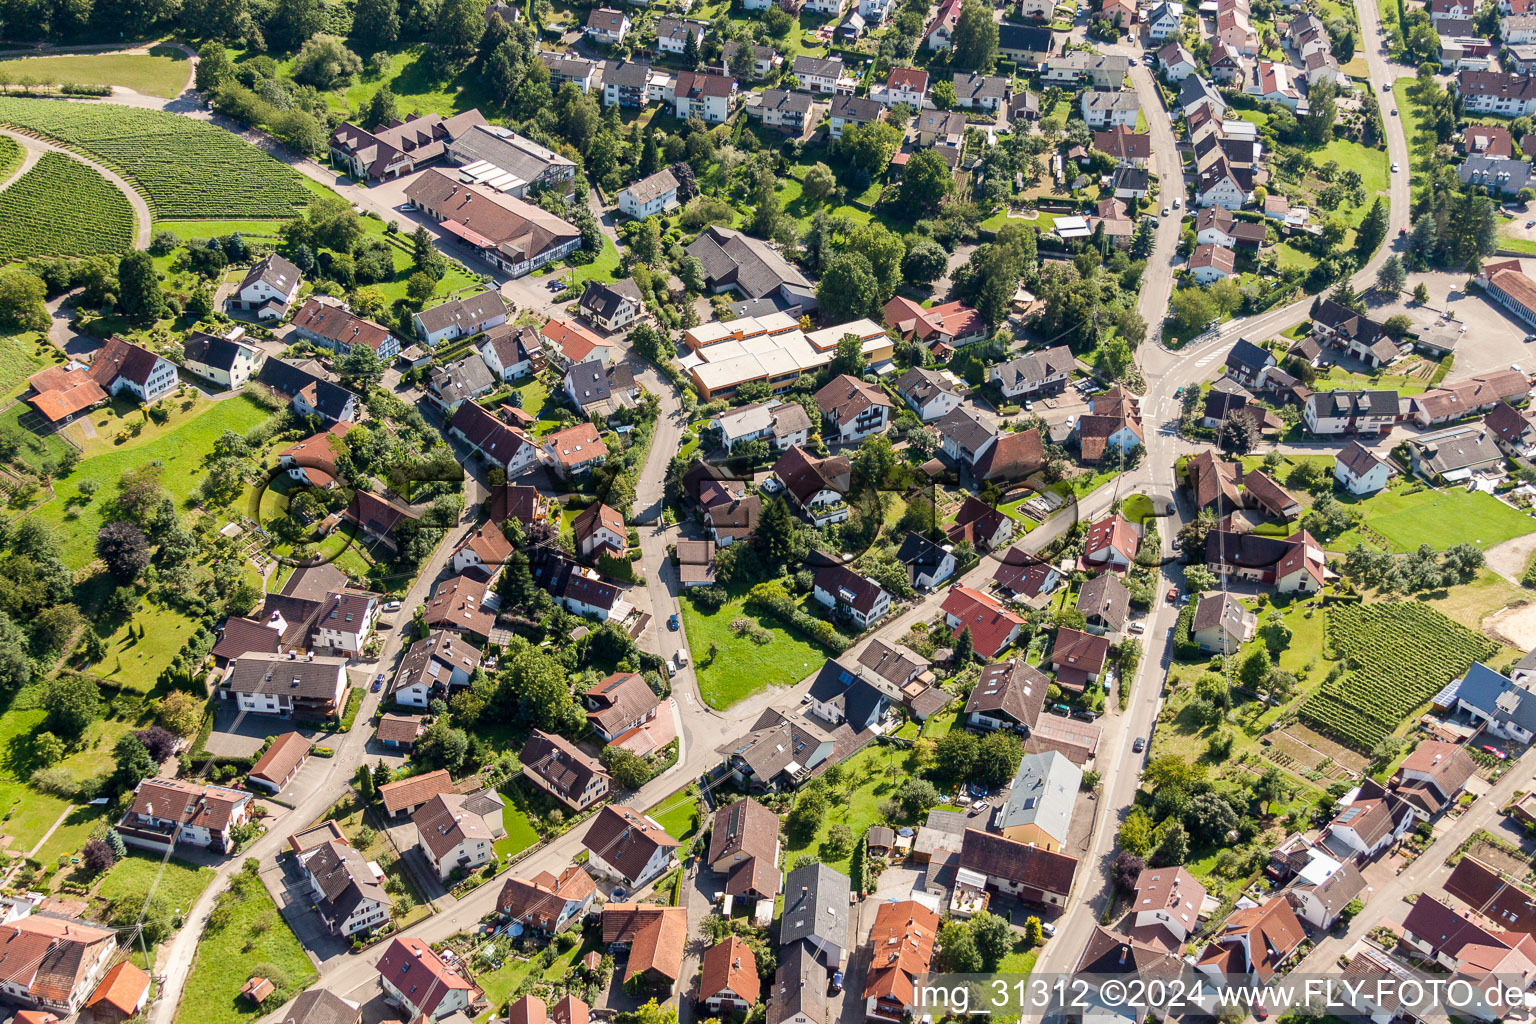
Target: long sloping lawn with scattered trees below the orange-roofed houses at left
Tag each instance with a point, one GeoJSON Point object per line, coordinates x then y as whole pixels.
{"type": "Point", "coordinates": [180, 452]}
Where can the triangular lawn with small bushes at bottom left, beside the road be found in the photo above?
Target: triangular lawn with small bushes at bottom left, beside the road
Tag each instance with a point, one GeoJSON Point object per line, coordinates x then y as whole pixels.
{"type": "Point", "coordinates": [256, 940]}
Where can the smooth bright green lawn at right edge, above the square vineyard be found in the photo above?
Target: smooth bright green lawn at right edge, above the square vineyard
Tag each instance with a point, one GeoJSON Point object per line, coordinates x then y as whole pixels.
{"type": "Point", "coordinates": [1411, 515]}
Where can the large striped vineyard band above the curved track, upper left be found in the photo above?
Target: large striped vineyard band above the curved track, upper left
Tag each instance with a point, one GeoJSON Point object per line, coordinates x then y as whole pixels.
{"type": "Point", "coordinates": [185, 168]}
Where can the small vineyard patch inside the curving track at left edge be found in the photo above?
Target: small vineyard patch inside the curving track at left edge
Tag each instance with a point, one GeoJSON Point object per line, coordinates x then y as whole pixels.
{"type": "Point", "coordinates": [61, 208]}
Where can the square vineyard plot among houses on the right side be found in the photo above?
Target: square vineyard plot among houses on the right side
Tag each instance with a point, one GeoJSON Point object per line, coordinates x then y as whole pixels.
{"type": "Point", "coordinates": [1399, 656]}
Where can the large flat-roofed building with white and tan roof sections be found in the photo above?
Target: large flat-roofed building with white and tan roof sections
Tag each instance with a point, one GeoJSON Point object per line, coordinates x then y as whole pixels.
{"type": "Point", "coordinates": [726, 355]}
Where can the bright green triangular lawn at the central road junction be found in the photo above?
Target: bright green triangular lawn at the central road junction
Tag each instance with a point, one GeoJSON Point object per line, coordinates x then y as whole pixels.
{"type": "Point", "coordinates": [740, 667]}
